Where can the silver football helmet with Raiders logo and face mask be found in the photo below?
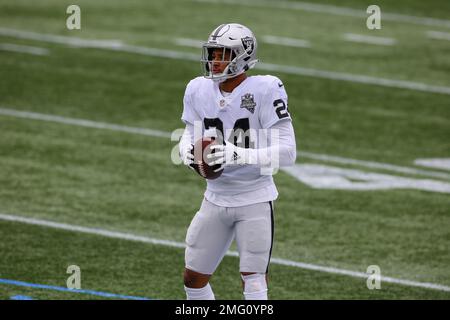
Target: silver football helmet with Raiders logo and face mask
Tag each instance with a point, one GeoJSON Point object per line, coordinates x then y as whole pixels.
{"type": "Point", "coordinates": [238, 45]}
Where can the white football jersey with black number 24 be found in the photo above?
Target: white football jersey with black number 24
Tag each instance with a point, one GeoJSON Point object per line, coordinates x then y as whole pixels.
{"type": "Point", "coordinates": [257, 103]}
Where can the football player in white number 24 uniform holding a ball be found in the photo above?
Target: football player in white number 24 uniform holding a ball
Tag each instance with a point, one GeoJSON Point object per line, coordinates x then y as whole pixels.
{"type": "Point", "coordinates": [238, 204]}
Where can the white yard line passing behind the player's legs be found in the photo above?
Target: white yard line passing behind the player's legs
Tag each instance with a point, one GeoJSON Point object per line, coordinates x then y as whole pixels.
{"type": "Point", "coordinates": [169, 243]}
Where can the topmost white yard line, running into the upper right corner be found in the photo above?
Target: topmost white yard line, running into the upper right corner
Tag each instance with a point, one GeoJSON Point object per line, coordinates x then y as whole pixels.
{"type": "Point", "coordinates": [334, 10]}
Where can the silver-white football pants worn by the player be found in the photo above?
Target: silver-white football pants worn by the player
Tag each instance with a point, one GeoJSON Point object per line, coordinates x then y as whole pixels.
{"type": "Point", "coordinates": [213, 228]}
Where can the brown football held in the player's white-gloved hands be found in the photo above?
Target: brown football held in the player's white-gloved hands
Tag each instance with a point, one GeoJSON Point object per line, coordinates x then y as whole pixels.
{"type": "Point", "coordinates": [200, 151]}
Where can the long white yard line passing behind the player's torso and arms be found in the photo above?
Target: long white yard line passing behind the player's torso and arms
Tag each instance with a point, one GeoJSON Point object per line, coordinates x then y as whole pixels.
{"type": "Point", "coordinates": [166, 134]}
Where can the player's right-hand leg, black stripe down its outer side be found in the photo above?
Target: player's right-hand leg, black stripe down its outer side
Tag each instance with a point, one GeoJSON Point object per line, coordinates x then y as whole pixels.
{"type": "Point", "coordinates": [254, 238]}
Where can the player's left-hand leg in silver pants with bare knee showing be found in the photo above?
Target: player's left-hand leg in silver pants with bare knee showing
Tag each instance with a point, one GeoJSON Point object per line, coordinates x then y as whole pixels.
{"type": "Point", "coordinates": [208, 238]}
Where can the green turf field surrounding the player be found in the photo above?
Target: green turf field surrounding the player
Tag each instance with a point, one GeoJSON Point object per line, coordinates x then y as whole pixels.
{"type": "Point", "coordinates": [118, 181]}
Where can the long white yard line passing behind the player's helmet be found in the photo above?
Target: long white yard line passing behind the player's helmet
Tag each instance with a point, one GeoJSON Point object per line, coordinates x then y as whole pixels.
{"type": "Point", "coordinates": [170, 54]}
